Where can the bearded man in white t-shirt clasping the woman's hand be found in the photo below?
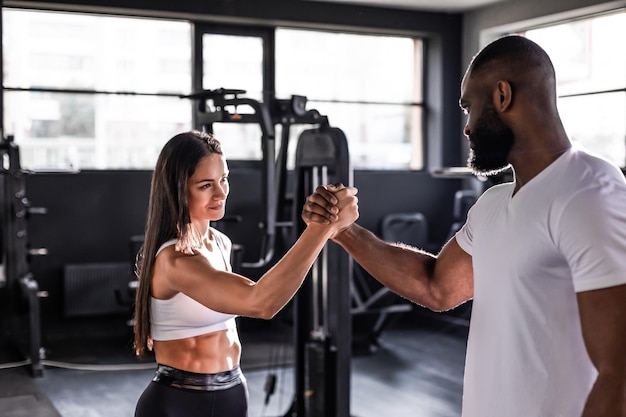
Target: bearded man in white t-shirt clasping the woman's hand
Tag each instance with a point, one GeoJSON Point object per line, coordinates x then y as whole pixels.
{"type": "Point", "coordinates": [543, 257]}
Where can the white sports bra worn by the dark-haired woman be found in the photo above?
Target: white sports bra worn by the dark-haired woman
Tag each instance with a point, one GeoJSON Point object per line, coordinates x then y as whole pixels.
{"type": "Point", "coordinates": [181, 316]}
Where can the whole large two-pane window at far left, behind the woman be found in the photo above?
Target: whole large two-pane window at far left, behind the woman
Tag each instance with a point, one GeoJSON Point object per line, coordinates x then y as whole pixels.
{"type": "Point", "coordinates": [94, 92]}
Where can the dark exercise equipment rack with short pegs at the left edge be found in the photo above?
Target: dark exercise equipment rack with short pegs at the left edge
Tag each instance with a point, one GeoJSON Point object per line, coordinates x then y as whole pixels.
{"type": "Point", "coordinates": [18, 284]}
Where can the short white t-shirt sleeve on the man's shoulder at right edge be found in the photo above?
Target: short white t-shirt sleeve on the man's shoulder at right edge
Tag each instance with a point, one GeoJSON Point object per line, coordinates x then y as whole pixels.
{"type": "Point", "coordinates": [592, 236]}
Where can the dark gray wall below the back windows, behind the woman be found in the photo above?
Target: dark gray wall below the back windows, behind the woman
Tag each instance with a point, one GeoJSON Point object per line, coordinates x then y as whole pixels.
{"type": "Point", "coordinates": [92, 215]}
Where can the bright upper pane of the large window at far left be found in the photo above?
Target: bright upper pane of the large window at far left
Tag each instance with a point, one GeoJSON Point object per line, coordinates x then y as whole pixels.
{"type": "Point", "coordinates": [75, 51]}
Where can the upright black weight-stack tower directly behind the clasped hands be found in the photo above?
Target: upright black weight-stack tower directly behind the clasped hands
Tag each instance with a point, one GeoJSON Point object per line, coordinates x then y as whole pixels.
{"type": "Point", "coordinates": [323, 325]}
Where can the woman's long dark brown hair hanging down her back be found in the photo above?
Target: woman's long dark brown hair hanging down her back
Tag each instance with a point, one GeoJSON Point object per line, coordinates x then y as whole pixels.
{"type": "Point", "coordinates": [168, 217]}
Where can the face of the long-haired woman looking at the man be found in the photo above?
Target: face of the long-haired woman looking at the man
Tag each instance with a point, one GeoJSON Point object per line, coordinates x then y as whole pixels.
{"type": "Point", "coordinates": [208, 188]}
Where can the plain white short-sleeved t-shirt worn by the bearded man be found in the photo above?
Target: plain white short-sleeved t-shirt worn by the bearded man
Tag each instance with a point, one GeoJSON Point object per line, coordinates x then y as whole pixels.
{"type": "Point", "coordinates": [563, 232]}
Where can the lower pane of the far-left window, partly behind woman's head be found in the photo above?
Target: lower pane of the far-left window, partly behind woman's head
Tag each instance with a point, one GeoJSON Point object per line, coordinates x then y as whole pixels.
{"type": "Point", "coordinates": [61, 131]}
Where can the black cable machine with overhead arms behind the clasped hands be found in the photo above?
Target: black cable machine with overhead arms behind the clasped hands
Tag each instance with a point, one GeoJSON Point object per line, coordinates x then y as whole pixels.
{"type": "Point", "coordinates": [322, 306]}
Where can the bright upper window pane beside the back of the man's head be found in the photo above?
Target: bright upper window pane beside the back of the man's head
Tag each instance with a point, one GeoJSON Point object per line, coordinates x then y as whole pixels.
{"type": "Point", "coordinates": [585, 54]}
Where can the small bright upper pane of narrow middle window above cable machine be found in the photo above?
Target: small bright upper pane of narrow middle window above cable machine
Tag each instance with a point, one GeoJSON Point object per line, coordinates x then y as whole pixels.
{"type": "Point", "coordinates": [233, 62]}
